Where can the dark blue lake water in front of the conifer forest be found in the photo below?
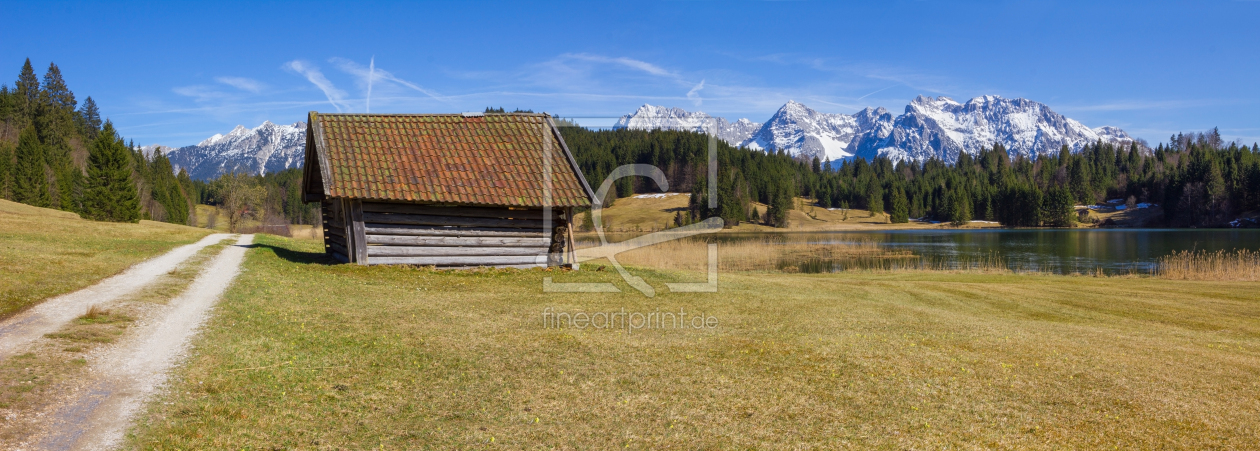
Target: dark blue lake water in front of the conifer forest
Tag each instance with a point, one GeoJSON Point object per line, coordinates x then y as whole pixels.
{"type": "Point", "coordinates": [1063, 251]}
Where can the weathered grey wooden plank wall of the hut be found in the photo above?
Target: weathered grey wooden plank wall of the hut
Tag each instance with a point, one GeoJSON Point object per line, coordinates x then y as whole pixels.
{"type": "Point", "coordinates": [398, 234]}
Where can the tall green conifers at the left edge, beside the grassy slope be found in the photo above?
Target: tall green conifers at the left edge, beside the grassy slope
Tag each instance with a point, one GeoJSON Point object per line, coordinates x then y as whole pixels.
{"type": "Point", "coordinates": [56, 153]}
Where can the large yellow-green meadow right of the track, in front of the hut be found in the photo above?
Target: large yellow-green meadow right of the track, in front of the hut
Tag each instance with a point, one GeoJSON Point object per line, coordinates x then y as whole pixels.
{"type": "Point", "coordinates": [309, 356]}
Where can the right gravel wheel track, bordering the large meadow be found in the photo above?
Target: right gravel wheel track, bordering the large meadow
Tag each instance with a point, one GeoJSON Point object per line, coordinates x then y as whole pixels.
{"type": "Point", "coordinates": [118, 384]}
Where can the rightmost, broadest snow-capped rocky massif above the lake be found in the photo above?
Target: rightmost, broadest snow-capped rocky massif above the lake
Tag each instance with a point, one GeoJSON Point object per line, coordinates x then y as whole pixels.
{"type": "Point", "coordinates": [943, 128]}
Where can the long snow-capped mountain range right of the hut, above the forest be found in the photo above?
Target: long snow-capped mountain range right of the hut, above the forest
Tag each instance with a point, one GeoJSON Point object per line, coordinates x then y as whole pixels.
{"type": "Point", "coordinates": [931, 128]}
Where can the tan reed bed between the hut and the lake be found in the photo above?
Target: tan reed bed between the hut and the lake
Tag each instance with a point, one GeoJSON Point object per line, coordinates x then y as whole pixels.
{"type": "Point", "coordinates": [774, 255]}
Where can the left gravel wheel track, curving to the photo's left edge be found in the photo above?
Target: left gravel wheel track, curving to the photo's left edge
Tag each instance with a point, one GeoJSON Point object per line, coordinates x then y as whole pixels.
{"type": "Point", "coordinates": [51, 316]}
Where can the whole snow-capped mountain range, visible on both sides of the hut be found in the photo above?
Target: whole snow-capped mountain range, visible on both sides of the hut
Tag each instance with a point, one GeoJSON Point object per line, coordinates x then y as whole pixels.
{"type": "Point", "coordinates": [931, 128]}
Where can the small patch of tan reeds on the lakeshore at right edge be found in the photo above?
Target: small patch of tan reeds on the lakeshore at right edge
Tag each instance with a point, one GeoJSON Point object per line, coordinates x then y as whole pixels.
{"type": "Point", "coordinates": [1211, 266]}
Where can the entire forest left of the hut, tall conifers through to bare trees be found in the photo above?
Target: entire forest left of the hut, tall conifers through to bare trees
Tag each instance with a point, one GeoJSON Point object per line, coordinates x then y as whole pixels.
{"type": "Point", "coordinates": [57, 153]}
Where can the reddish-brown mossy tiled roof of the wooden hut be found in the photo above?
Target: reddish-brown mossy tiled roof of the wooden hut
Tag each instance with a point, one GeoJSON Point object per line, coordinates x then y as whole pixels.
{"type": "Point", "coordinates": [491, 159]}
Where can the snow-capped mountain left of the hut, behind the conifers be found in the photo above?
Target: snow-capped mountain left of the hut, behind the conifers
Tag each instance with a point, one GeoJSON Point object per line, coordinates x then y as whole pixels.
{"type": "Point", "coordinates": [268, 148]}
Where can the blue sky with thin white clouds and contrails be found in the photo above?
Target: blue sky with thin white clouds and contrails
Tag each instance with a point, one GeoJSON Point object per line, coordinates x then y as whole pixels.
{"type": "Point", "coordinates": [177, 74]}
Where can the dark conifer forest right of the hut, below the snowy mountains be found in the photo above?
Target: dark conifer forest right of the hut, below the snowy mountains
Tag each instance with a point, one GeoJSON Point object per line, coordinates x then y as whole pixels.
{"type": "Point", "coordinates": [1199, 180]}
